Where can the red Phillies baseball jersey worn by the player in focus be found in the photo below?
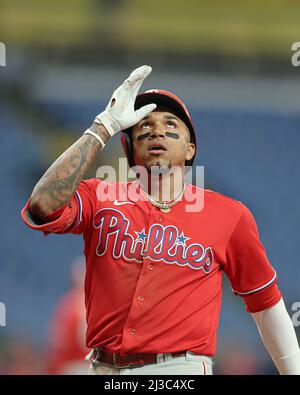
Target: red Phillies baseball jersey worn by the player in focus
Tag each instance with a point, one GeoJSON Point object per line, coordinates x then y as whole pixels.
{"type": "Point", "coordinates": [154, 280]}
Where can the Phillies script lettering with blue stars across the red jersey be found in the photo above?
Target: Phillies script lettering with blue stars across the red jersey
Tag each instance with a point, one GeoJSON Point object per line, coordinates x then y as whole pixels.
{"type": "Point", "coordinates": [162, 243]}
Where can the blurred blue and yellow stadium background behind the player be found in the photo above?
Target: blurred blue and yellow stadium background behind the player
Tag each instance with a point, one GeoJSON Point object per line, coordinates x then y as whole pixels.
{"type": "Point", "coordinates": [229, 61]}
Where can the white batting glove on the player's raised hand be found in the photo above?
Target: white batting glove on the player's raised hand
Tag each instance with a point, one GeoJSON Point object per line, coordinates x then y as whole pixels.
{"type": "Point", "coordinates": [120, 113]}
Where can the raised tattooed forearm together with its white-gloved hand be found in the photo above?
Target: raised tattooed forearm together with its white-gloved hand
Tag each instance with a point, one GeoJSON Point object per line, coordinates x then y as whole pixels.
{"type": "Point", "coordinates": [58, 185]}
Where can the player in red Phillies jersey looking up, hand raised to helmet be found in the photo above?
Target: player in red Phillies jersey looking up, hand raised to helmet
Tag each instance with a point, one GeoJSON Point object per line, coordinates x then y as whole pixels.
{"type": "Point", "coordinates": [154, 269]}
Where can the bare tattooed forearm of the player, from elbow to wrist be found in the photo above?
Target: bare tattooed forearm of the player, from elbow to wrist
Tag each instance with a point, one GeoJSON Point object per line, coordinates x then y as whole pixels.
{"type": "Point", "coordinates": [59, 183]}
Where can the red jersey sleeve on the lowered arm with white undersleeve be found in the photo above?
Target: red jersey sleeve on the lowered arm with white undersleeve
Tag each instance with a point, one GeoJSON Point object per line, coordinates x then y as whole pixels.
{"type": "Point", "coordinates": [247, 265]}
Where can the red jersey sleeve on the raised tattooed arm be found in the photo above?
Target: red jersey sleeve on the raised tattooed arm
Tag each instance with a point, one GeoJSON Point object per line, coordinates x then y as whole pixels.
{"type": "Point", "coordinates": [75, 217]}
